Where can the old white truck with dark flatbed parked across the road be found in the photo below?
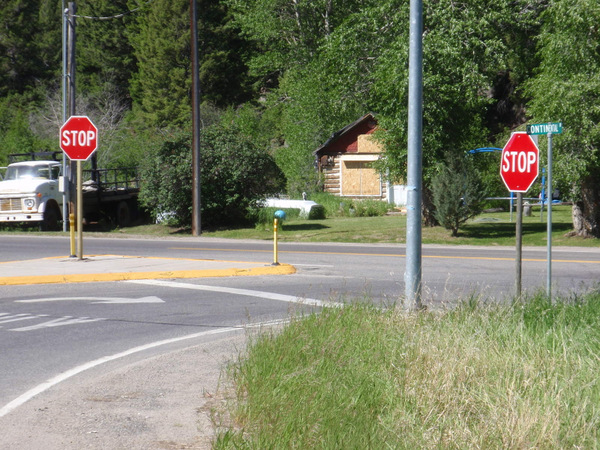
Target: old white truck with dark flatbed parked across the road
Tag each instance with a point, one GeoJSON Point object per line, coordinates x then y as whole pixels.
{"type": "Point", "coordinates": [32, 191]}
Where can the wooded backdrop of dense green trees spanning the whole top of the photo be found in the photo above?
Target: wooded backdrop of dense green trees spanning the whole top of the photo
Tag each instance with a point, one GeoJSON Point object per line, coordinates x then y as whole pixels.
{"type": "Point", "coordinates": [285, 74]}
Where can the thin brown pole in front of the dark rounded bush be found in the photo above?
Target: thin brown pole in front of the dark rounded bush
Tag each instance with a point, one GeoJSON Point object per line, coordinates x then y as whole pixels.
{"type": "Point", "coordinates": [196, 185]}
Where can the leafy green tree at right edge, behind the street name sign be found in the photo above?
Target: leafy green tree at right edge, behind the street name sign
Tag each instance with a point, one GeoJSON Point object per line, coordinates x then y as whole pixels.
{"type": "Point", "coordinates": [567, 88]}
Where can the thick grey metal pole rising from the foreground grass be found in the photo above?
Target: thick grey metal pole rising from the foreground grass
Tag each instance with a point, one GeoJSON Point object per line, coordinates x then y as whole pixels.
{"type": "Point", "coordinates": [412, 277]}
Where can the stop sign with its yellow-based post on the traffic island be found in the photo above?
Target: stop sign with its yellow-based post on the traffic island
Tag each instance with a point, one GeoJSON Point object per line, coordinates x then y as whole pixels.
{"type": "Point", "coordinates": [78, 140]}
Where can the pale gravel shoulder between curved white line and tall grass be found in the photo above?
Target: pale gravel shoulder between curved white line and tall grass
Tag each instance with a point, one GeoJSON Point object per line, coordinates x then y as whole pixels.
{"type": "Point", "coordinates": [162, 402]}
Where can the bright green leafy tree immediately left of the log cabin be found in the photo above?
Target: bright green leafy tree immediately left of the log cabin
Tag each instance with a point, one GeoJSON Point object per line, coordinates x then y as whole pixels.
{"type": "Point", "coordinates": [323, 96]}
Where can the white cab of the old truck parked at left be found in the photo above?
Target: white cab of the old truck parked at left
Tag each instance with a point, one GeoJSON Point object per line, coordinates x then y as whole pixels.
{"type": "Point", "coordinates": [29, 192]}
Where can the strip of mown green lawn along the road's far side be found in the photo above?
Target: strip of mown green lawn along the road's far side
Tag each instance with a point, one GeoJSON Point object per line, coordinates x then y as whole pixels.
{"type": "Point", "coordinates": [486, 229]}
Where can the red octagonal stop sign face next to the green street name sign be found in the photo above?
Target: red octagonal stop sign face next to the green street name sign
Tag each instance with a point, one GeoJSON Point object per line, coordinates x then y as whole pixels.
{"type": "Point", "coordinates": [520, 162]}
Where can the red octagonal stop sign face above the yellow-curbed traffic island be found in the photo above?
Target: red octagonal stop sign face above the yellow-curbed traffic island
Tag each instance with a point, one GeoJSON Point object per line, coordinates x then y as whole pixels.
{"type": "Point", "coordinates": [78, 138]}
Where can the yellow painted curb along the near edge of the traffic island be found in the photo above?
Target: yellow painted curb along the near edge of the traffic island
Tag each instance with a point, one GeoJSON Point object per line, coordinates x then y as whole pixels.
{"type": "Point", "coordinates": [282, 269]}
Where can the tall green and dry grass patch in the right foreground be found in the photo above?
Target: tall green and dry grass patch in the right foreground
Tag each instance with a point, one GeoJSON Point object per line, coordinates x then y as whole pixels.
{"type": "Point", "coordinates": [477, 376]}
